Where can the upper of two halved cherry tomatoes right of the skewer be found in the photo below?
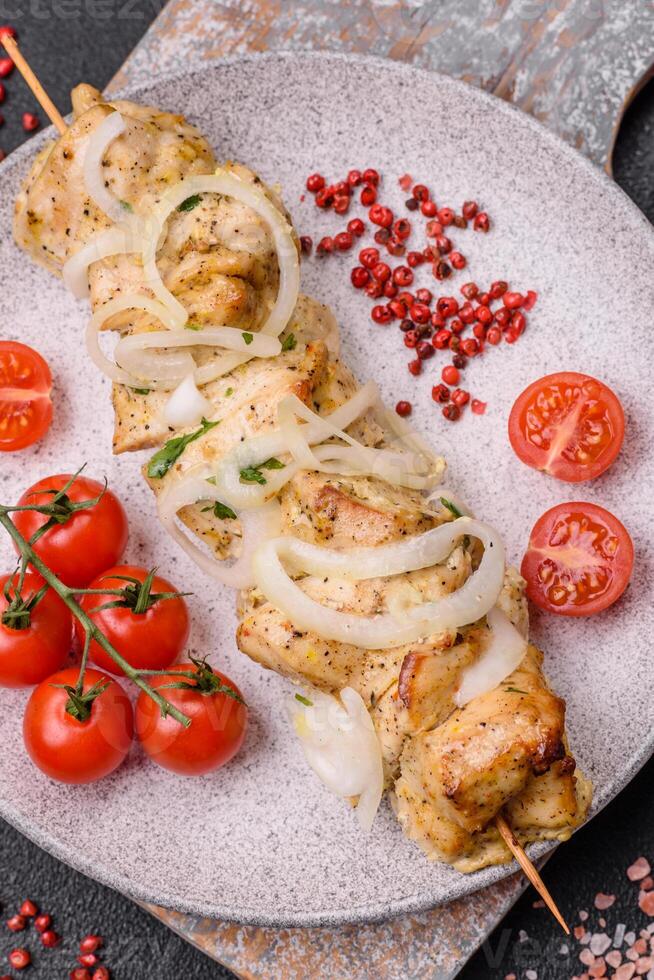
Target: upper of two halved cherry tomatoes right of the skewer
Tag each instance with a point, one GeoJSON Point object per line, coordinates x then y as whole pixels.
{"type": "Point", "coordinates": [568, 425]}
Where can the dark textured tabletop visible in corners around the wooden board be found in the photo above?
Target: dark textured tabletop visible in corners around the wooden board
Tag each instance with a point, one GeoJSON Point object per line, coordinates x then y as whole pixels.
{"type": "Point", "coordinates": [68, 42]}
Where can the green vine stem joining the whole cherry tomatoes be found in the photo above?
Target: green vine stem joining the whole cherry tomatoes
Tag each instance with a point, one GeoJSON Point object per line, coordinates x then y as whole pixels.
{"type": "Point", "coordinates": [92, 632]}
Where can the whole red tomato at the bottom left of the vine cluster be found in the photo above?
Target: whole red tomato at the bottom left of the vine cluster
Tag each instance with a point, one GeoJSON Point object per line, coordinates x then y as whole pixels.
{"type": "Point", "coordinates": [70, 750]}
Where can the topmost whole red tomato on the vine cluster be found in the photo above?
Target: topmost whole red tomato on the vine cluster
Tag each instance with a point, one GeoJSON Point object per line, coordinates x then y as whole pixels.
{"type": "Point", "coordinates": [88, 542]}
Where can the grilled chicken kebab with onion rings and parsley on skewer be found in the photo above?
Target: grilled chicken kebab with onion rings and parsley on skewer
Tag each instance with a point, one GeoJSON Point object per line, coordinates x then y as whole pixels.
{"type": "Point", "coordinates": [394, 613]}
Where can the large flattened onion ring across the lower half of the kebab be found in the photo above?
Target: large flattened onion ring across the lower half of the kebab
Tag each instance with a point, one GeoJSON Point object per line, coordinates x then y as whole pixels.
{"type": "Point", "coordinates": [384, 630]}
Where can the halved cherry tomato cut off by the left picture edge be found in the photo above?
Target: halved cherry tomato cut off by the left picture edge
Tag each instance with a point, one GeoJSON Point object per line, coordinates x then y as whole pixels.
{"type": "Point", "coordinates": [25, 406]}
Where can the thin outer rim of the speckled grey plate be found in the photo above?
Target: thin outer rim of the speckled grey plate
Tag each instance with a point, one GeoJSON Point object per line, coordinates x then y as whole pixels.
{"type": "Point", "coordinates": [414, 903]}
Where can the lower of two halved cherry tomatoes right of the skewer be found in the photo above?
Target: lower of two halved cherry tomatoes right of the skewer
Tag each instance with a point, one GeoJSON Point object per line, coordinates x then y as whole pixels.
{"type": "Point", "coordinates": [578, 561]}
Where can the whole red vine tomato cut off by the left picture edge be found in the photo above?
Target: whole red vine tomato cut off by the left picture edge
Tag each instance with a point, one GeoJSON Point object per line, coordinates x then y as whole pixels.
{"type": "Point", "coordinates": [40, 645]}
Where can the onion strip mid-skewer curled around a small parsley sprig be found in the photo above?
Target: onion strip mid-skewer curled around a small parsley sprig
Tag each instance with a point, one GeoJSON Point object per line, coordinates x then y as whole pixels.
{"type": "Point", "coordinates": [255, 451]}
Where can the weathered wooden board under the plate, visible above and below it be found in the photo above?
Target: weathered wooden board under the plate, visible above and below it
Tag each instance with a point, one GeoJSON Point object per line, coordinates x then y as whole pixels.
{"type": "Point", "coordinates": [575, 65]}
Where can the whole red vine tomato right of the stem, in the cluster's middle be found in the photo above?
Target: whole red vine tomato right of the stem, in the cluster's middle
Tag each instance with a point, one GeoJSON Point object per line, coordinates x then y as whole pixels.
{"type": "Point", "coordinates": [148, 640]}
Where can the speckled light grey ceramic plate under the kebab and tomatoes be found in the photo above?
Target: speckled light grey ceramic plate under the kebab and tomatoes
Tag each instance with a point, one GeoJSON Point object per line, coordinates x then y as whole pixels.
{"type": "Point", "coordinates": [261, 841]}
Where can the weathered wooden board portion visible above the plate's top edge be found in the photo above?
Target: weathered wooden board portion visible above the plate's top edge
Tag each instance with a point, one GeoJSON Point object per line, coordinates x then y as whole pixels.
{"type": "Point", "coordinates": [574, 64]}
